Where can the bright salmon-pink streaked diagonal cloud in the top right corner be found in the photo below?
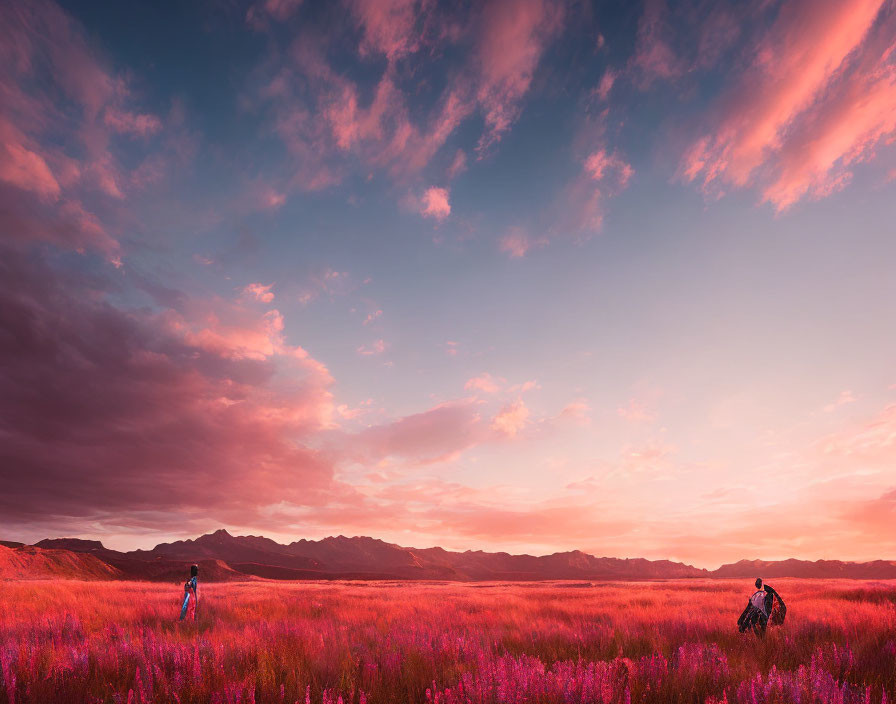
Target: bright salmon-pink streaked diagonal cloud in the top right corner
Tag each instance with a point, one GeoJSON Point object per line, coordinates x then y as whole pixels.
{"type": "Point", "coordinates": [817, 96]}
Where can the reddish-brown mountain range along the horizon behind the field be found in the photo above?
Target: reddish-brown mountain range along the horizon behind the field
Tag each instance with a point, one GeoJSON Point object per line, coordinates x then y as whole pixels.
{"type": "Point", "coordinates": [224, 557]}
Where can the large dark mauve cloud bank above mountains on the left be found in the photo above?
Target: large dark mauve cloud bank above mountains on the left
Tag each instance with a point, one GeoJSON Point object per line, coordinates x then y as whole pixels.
{"type": "Point", "coordinates": [147, 422]}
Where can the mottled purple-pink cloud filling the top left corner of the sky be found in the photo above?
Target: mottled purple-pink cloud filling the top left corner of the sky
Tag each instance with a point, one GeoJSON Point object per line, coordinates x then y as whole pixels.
{"type": "Point", "coordinates": [63, 107]}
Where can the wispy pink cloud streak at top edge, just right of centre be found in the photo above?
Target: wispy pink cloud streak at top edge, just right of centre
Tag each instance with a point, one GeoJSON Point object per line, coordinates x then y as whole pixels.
{"type": "Point", "coordinates": [514, 35]}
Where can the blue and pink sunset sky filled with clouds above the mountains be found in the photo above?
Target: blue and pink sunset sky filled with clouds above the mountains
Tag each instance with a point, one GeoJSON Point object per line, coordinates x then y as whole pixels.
{"type": "Point", "coordinates": [505, 275]}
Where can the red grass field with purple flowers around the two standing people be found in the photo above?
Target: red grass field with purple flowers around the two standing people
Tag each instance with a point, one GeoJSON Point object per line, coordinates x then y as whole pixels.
{"type": "Point", "coordinates": [448, 643]}
